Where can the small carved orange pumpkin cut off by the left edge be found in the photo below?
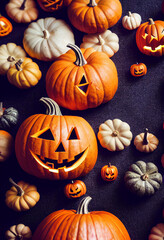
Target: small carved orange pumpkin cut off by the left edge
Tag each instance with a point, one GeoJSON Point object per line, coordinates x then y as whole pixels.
{"type": "Point", "coordinates": [5, 26]}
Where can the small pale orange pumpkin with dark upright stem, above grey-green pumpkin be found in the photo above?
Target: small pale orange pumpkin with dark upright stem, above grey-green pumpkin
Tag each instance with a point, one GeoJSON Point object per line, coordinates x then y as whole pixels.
{"type": "Point", "coordinates": [146, 142]}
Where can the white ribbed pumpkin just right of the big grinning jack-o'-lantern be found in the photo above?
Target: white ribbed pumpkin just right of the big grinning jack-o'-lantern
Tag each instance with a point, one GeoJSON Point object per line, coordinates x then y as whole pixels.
{"type": "Point", "coordinates": [114, 135]}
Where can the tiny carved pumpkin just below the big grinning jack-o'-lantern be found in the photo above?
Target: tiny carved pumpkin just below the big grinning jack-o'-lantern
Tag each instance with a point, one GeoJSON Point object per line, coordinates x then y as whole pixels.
{"type": "Point", "coordinates": [75, 189]}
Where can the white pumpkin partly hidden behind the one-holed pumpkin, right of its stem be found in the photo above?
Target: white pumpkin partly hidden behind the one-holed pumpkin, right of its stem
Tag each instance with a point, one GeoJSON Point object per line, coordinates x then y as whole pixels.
{"type": "Point", "coordinates": [106, 42]}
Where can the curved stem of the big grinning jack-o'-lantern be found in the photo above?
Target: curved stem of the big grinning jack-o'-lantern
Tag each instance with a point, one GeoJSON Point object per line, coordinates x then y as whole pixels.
{"type": "Point", "coordinates": [52, 106]}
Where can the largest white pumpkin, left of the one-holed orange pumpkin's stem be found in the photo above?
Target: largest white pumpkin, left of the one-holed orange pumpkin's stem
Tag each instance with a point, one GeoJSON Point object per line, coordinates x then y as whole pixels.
{"type": "Point", "coordinates": [46, 39]}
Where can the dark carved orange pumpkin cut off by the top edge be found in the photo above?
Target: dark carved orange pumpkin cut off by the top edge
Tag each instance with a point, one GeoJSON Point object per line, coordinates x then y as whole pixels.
{"type": "Point", "coordinates": [50, 5]}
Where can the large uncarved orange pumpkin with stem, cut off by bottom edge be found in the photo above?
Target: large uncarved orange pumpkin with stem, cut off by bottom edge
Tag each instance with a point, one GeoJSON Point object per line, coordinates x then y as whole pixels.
{"type": "Point", "coordinates": [81, 224]}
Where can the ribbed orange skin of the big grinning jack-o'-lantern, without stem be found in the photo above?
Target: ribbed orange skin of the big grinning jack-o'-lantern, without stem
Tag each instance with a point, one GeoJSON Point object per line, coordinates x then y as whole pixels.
{"type": "Point", "coordinates": [60, 127]}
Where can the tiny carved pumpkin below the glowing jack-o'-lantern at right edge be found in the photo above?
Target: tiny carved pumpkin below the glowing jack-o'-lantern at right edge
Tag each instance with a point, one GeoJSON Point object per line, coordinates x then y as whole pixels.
{"type": "Point", "coordinates": [138, 69]}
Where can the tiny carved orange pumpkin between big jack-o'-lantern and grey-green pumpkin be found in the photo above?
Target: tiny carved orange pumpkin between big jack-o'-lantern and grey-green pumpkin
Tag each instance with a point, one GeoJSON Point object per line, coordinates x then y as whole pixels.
{"type": "Point", "coordinates": [109, 172]}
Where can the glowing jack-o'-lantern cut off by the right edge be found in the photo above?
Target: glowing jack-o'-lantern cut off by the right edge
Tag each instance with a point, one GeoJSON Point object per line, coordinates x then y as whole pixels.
{"type": "Point", "coordinates": [150, 38]}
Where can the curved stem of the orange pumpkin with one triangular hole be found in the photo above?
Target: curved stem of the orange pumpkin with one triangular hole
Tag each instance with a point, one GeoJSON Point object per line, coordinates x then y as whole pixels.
{"type": "Point", "coordinates": [80, 60]}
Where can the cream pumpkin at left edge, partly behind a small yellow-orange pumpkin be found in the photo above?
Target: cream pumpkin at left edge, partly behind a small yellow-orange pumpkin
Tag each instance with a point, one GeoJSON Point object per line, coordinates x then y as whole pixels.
{"type": "Point", "coordinates": [10, 53]}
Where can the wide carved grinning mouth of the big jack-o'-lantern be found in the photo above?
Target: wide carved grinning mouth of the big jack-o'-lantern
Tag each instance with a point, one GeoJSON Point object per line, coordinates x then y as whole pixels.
{"type": "Point", "coordinates": [53, 166]}
